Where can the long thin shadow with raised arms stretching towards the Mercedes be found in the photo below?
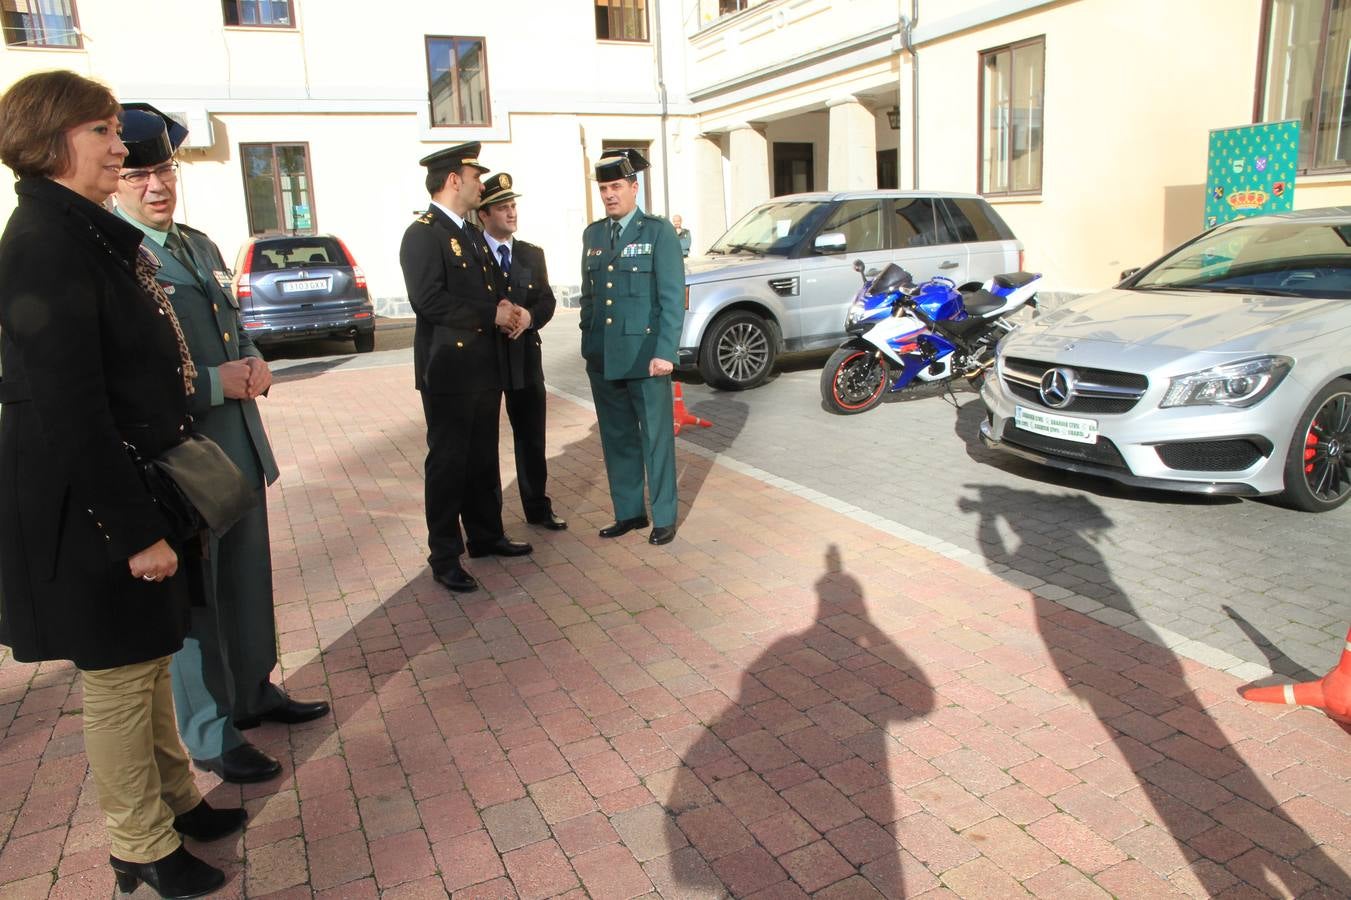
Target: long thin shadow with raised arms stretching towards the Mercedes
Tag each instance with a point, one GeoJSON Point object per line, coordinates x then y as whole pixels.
{"type": "Point", "coordinates": [1214, 806]}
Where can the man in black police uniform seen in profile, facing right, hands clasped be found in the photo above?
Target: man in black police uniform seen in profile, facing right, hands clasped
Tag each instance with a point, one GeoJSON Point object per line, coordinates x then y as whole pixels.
{"type": "Point", "coordinates": [460, 356]}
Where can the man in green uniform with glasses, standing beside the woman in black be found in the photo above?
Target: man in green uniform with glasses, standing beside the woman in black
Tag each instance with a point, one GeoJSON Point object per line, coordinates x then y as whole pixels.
{"type": "Point", "coordinates": [222, 675]}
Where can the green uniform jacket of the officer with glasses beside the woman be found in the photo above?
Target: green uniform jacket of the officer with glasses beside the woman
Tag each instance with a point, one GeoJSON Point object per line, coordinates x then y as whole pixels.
{"type": "Point", "coordinates": [210, 317]}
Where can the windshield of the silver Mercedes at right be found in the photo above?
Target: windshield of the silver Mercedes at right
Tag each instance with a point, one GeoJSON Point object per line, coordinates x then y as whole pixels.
{"type": "Point", "coordinates": [1283, 257]}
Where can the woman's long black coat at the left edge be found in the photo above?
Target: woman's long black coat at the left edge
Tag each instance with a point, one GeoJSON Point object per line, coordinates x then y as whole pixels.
{"type": "Point", "coordinates": [88, 363]}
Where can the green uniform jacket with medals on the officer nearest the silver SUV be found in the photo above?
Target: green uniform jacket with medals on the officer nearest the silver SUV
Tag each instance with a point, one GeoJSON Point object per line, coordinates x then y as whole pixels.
{"type": "Point", "coordinates": [633, 305]}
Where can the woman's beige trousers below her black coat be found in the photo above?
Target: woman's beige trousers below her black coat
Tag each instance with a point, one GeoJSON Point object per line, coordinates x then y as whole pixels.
{"type": "Point", "coordinates": [140, 767]}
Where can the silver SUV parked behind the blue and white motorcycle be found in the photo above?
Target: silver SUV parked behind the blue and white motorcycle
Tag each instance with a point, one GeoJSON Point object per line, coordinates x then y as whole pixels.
{"type": "Point", "coordinates": [782, 279]}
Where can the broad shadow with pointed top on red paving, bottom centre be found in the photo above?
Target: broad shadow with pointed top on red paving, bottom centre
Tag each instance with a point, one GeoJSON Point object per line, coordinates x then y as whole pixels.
{"type": "Point", "coordinates": [802, 774]}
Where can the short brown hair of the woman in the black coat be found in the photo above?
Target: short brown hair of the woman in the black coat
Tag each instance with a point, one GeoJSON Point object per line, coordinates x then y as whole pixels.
{"type": "Point", "coordinates": [39, 110]}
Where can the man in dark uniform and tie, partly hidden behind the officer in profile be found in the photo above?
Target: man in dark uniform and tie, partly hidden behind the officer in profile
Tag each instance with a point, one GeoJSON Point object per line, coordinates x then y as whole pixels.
{"type": "Point", "coordinates": [522, 268]}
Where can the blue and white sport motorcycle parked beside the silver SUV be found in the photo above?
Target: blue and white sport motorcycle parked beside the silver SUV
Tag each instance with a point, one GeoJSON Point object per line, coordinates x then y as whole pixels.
{"type": "Point", "coordinates": [904, 336]}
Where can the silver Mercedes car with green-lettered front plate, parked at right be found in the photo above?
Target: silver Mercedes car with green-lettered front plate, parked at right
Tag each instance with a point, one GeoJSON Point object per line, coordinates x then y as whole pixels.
{"type": "Point", "coordinates": [1222, 368]}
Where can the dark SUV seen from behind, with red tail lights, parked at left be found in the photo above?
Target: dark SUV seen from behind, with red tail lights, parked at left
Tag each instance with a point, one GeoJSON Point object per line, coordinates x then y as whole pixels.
{"type": "Point", "coordinates": [295, 287]}
